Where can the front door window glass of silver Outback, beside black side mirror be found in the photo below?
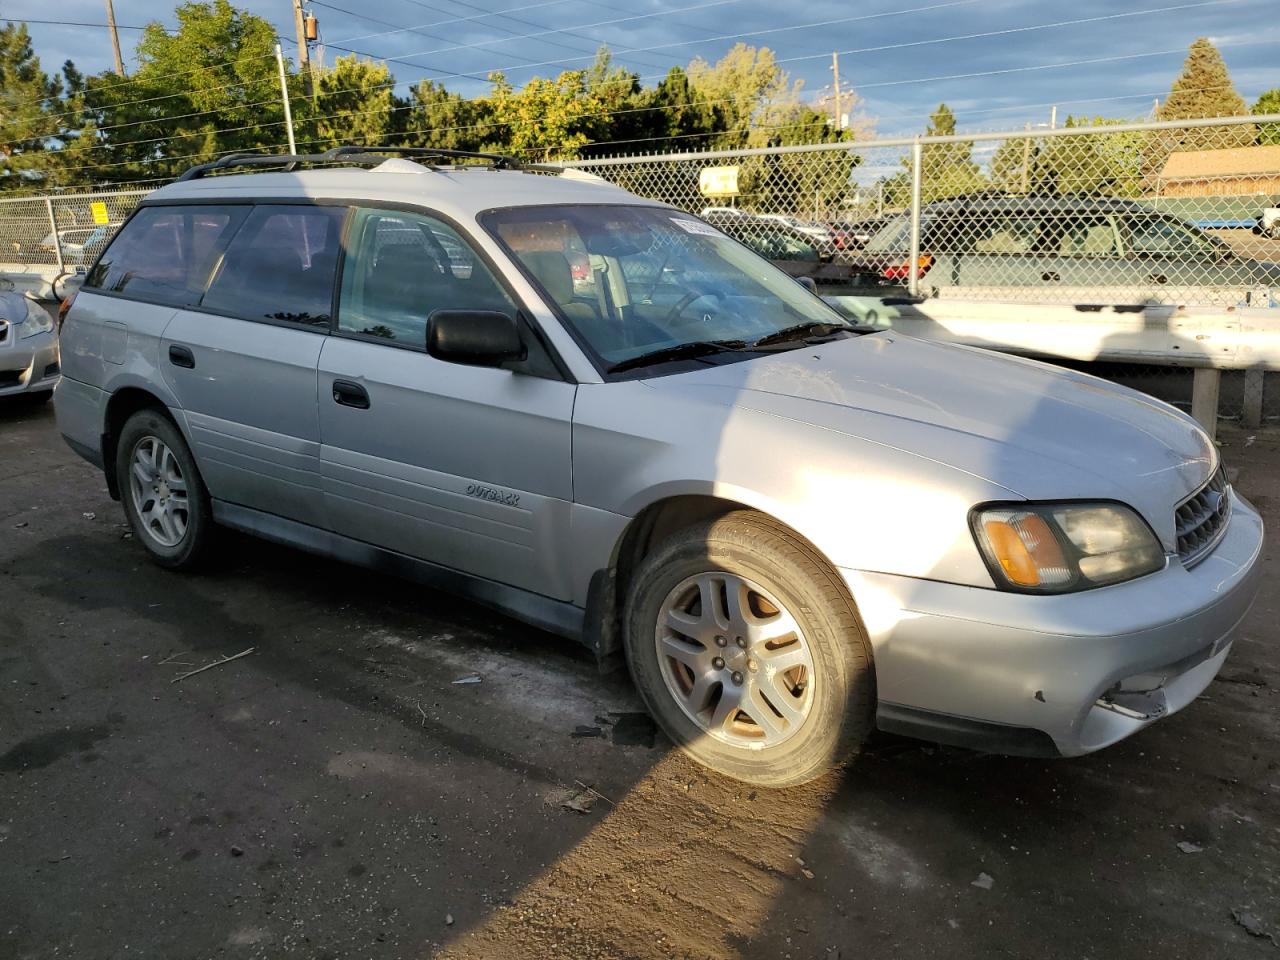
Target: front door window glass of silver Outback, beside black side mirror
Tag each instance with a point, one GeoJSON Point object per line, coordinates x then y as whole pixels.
{"type": "Point", "coordinates": [403, 268]}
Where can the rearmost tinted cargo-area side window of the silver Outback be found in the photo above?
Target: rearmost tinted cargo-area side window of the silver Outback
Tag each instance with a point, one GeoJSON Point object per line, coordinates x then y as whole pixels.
{"type": "Point", "coordinates": [164, 254]}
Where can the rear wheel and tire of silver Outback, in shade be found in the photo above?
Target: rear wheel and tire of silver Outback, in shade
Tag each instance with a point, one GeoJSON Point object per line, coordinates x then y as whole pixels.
{"type": "Point", "coordinates": [164, 497]}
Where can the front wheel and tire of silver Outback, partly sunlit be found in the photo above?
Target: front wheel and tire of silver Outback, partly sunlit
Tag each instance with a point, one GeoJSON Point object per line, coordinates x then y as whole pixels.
{"type": "Point", "coordinates": [799, 702]}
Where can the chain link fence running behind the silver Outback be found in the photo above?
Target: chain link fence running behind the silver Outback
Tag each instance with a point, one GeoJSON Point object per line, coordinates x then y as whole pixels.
{"type": "Point", "coordinates": [1142, 214]}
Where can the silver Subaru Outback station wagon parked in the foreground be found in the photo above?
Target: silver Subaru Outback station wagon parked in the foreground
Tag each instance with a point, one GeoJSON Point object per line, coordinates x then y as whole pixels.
{"type": "Point", "coordinates": [604, 417]}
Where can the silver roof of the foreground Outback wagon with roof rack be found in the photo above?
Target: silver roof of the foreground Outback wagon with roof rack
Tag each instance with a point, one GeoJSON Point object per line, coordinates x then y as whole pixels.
{"type": "Point", "coordinates": [456, 191]}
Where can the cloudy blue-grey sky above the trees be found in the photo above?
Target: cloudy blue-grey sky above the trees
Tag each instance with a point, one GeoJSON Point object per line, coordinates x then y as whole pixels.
{"type": "Point", "coordinates": [999, 65]}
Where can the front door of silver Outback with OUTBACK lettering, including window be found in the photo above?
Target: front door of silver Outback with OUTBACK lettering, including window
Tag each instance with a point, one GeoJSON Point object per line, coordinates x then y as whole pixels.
{"type": "Point", "coordinates": [464, 467]}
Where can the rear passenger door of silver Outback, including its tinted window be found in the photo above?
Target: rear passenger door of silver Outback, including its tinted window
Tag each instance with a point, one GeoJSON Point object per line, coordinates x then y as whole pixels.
{"type": "Point", "coordinates": [243, 363]}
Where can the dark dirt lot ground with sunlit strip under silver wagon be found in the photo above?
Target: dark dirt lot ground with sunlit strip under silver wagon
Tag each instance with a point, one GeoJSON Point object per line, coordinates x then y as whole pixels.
{"type": "Point", "coordinates": [339, 794]}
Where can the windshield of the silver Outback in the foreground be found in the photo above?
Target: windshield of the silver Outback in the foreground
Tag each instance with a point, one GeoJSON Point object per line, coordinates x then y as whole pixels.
{"type": "Point", "coordinates": [634, 281]}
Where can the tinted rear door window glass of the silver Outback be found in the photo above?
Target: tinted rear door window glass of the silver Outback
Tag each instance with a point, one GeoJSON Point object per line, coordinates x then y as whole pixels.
{"type": "Point", "coordinates": [281, 266]}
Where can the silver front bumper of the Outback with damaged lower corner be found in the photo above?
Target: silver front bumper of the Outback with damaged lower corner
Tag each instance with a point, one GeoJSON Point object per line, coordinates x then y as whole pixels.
{"type": "Point", "coordinates": [1055, 675]}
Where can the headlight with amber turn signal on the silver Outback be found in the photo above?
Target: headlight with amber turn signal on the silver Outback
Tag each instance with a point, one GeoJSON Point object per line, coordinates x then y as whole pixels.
{"type": "Point", "coordinates": [1054, 548]}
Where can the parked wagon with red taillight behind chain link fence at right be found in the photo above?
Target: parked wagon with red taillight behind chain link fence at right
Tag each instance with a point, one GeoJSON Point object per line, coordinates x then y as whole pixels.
{"type": "Point", "coordinates": [1117, 249]}
